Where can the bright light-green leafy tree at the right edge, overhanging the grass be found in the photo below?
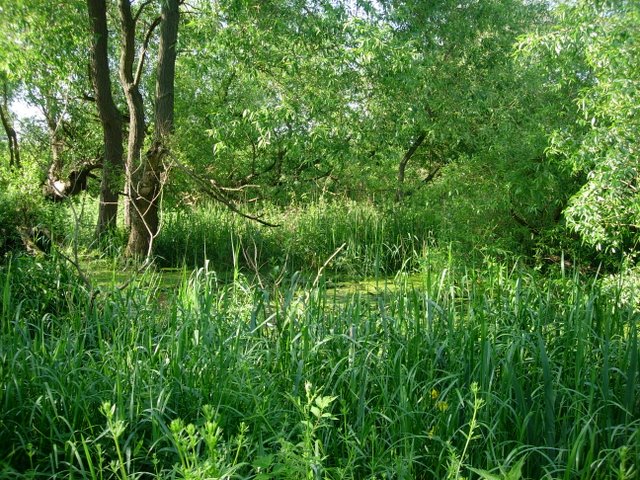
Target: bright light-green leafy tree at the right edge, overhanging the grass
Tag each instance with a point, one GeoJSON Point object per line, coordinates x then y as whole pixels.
{"type": "Point", "coordinates": [593, 49]}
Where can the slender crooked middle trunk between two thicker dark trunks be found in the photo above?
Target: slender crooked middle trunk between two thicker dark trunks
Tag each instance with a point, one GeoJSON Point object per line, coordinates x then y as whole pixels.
{"type": "Point", "coordinates": [133, 166]}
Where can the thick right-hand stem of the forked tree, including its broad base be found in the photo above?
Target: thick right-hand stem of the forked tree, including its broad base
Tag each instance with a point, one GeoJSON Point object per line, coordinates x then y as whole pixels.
{"type": "Point", "coordinates": [146, 185]}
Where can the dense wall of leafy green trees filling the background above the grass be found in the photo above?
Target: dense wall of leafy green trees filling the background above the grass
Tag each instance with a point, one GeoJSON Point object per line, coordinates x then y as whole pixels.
{"type": "Point", "coordinates": [513, 121]}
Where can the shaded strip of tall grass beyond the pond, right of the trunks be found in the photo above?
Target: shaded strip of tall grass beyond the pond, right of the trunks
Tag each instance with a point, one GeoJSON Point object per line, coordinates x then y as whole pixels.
{"type": "Point", "coordinates": [377, 241]}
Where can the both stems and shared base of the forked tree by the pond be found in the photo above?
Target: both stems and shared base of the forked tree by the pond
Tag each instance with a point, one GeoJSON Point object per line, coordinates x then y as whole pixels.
{"type": "Point", "coordinates": [144, 170]}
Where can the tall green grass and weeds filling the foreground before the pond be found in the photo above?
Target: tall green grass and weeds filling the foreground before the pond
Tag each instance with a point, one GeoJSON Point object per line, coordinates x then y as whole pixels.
{"type": "Point", "coordinates": [494, 369]}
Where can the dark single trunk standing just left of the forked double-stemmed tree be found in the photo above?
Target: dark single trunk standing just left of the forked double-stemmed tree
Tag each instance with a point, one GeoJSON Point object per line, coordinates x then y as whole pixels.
{"type": "Point", "coordinates": [110, 118]}
